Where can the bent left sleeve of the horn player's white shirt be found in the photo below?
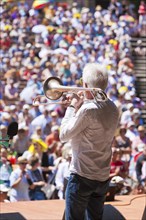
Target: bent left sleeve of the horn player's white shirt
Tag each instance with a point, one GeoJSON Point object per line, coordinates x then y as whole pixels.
{"type": "Point", "coordinates": [72, 124]}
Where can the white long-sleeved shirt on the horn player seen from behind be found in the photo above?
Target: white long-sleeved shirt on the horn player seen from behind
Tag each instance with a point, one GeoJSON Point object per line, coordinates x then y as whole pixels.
{"type": "Point", "coordinates": [91, 132]}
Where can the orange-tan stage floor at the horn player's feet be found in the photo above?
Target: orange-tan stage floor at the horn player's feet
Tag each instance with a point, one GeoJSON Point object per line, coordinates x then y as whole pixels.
{"type": "Point", "coordinates": [124, 207]}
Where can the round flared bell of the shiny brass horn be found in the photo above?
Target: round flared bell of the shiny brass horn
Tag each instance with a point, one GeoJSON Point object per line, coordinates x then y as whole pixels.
{"type": "Point", "coordinates": [50, 88]}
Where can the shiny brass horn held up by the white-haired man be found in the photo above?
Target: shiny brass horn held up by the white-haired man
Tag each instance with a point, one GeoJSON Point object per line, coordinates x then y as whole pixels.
{"type": "Point", "coordinates": [53, 90]}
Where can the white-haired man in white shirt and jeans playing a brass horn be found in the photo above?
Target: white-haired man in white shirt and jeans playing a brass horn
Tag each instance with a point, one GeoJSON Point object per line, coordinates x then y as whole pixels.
{"type": "Point", "coordinates": [89, 124]}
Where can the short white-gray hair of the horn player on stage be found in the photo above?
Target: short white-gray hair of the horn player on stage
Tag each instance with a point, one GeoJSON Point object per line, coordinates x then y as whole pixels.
{"type": "Point", "coordinates": [95, 75]}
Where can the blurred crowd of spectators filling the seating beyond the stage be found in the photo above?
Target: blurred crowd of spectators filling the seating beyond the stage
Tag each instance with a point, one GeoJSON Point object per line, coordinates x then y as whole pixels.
{"type": "Point", "coordinates": [59, 41]}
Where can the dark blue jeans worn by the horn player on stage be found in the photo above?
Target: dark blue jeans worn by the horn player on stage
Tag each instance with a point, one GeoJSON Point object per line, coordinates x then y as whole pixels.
{"type": "Point", "coordinates": [85, 198]}
